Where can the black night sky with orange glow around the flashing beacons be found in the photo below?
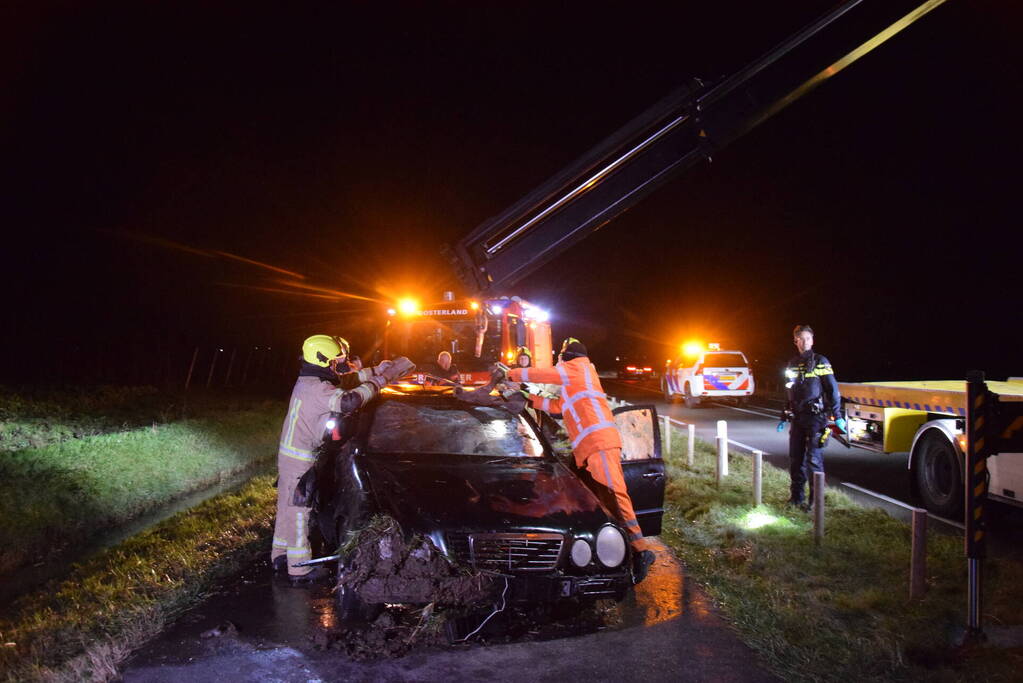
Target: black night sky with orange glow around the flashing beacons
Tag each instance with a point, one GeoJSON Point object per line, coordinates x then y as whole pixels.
{"type": "Point", "coordinates": [154, 148]}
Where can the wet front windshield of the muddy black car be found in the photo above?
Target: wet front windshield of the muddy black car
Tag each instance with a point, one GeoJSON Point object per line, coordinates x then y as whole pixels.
{"type": "Point", "coordinates": [402, 427]}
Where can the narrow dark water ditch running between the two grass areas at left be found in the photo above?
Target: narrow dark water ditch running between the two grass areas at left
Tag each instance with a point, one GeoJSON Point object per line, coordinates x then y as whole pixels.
{"type": "Point", "coordinates": [58, 566]}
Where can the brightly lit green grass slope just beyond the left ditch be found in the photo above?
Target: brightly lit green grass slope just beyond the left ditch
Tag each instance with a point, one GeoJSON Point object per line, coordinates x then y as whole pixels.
{"type": "Point", "coordinates": [58, 497]}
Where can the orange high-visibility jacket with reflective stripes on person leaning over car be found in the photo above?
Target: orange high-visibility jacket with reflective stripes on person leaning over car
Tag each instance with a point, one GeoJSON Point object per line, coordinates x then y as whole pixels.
{"type": "Point", "coordinates": [584, 404]}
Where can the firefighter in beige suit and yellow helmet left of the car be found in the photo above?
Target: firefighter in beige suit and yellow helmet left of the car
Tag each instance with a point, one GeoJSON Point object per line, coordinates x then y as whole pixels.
{"type": "Point", "coordinates": [325, 391]}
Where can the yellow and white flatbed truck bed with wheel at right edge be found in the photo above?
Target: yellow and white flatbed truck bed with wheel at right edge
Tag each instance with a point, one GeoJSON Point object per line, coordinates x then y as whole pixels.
{"type": "Point", "coordinates": [927, 420]}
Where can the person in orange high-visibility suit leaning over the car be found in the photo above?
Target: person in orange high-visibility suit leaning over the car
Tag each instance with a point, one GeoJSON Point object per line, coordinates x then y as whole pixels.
{"type": "Point", "coordinates": [596, 443]}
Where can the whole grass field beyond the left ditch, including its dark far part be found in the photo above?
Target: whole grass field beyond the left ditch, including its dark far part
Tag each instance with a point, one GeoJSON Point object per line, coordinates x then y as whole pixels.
{"type": "Point", "coordinates": [59, 496]}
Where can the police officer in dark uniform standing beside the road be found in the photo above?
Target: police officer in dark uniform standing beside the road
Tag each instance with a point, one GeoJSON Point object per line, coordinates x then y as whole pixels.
{"type": "Point", "coordinates": [813, 399]}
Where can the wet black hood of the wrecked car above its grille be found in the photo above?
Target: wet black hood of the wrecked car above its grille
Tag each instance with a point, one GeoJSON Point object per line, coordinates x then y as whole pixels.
{"type": "Point", "coordinates": [429, 493]}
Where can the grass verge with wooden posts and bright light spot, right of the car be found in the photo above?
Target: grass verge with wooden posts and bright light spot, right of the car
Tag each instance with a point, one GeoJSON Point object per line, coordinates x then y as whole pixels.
{"type": "Point", "coordinates": [839, 612]}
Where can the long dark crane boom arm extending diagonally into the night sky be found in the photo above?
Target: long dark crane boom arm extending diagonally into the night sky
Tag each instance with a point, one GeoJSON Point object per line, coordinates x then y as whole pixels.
{"type": "Point", "coordinates": [686, 128]}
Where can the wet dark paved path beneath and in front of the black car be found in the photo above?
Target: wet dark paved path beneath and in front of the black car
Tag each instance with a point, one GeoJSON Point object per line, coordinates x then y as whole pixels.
{"type": "Point", "coordinates": [258, 629]}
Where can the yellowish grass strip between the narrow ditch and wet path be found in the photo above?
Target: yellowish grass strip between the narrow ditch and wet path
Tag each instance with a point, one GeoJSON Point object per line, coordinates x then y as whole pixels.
{"type": "Point", "coordinates": [81, 628]}
